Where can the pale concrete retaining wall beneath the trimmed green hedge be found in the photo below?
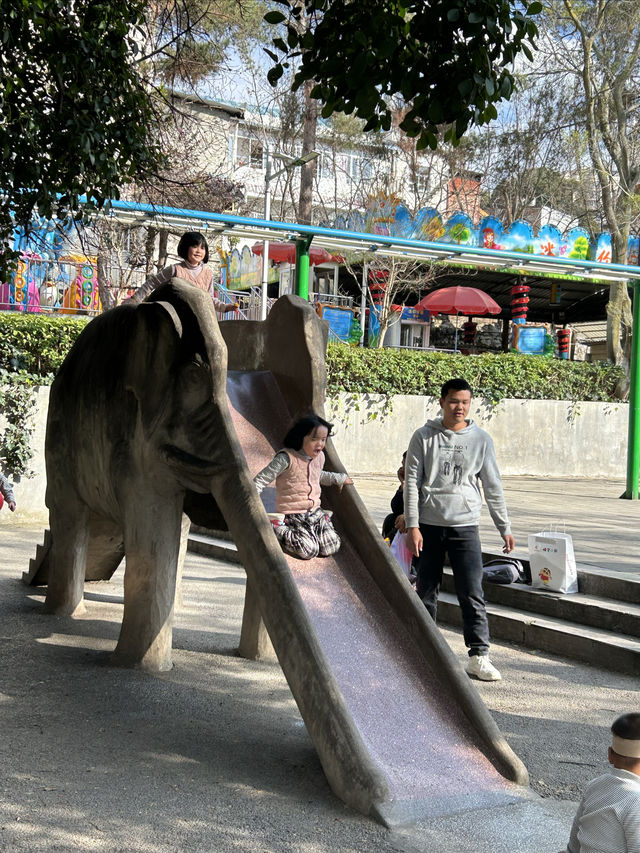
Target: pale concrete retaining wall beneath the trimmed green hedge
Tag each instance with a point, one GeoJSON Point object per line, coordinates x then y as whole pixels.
{"type": "Point", "coordinates": [537, 437]}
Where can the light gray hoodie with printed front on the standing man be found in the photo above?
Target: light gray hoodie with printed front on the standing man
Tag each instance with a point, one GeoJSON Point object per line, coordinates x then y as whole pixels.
{"type": "Point", "coordinates": [443, 473]}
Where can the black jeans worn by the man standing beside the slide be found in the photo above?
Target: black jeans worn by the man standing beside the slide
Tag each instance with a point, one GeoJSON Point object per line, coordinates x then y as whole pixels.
{"type": "Point", "coordinates": [462, 544]}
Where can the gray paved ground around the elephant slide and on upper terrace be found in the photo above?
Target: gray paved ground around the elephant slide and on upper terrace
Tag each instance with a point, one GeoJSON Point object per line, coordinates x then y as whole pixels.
{"type": "Point", "coordinates": [213, 756]}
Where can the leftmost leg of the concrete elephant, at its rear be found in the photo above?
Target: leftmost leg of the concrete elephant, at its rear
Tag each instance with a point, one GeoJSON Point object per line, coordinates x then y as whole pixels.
{"type": "Point", "coordinates": [69, 523]}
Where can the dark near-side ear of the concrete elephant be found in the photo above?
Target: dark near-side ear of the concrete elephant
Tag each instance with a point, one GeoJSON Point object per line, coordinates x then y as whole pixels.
{"type": "Point", "coordinates": [154, 355]}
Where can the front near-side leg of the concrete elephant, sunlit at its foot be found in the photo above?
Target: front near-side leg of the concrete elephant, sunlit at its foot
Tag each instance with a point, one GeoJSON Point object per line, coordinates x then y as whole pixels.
{"type": "Point", "coordinates": [152, 548]}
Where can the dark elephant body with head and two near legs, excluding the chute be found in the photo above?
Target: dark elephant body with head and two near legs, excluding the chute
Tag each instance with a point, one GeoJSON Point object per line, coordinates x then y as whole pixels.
{"type": "Point", "coordinates": [138, 431]}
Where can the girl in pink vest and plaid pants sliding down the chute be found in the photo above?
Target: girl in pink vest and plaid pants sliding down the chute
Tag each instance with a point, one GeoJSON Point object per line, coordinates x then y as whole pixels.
{"type": "Point", "coordinates": [302, 527]}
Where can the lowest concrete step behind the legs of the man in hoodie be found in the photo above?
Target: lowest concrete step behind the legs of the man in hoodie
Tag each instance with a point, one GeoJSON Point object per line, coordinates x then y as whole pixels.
{"type": "Point", "coordinates": [598, 646]}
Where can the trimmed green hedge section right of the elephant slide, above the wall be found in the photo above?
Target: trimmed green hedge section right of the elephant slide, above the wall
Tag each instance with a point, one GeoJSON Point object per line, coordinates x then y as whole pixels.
{"type": "Point", "coordinates": [495, 377]}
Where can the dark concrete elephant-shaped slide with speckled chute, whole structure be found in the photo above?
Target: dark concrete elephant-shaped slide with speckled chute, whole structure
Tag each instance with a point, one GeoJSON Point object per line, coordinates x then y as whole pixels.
{"type": "Point", "coordinates": [156, 423]}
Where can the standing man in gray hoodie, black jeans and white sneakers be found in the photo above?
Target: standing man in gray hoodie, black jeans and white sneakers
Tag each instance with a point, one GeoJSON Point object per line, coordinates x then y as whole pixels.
{"type": "Point", "coordinates": [447, 460]}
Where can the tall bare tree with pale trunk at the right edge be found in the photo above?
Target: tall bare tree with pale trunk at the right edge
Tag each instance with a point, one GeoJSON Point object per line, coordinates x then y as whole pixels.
{"type": "Point", "coordinates": [596, 47]}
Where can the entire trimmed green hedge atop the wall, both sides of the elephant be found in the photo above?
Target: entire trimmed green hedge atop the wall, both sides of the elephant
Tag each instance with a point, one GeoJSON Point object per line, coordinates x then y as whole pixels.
{"type": "Point", "coordinates": [32, 347]}
